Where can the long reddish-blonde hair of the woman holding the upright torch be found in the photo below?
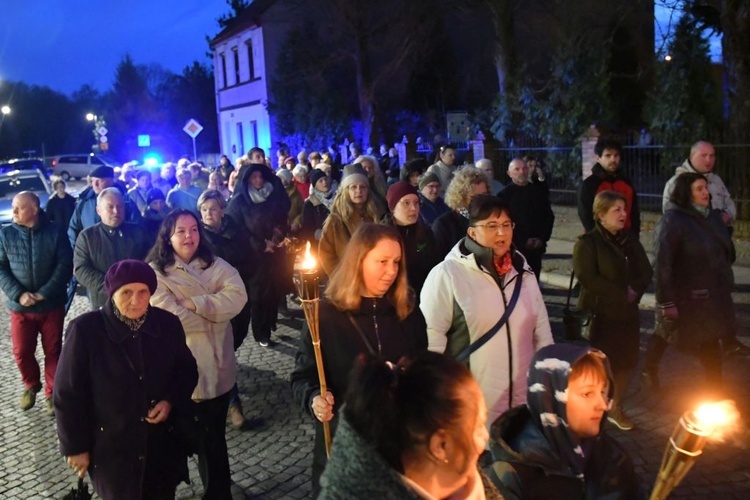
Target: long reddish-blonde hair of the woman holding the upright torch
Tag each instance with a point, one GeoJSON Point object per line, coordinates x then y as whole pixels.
{"type": "Point", "coordinates": [347, 284]}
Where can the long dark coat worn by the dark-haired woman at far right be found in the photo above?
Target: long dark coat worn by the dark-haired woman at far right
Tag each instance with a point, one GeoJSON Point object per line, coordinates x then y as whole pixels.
{"type": "Point", "coordinates": [693, 269]}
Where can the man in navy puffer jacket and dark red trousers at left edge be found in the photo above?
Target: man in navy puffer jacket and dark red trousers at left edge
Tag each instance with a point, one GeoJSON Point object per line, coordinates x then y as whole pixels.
{"type": "Point", "coordinates": [36, 263]}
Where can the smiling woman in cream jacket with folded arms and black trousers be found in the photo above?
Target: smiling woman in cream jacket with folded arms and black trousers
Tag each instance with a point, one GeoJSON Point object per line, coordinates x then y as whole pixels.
{"type": "Point", "coordinates": [205, 292]}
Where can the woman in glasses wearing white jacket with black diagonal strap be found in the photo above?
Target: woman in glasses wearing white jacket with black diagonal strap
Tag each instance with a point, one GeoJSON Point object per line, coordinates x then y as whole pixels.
{"type": "Point", "coordinates": [465, 297]}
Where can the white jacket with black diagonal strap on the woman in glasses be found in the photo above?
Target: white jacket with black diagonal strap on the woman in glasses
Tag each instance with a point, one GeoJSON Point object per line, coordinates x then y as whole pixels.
{"type": "Point", "coordinates": [461, 296]}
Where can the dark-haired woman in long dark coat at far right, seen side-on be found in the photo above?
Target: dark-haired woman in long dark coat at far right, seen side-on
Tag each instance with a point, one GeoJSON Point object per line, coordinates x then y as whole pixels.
{"type": "Point", "coordinates": [694, 280]}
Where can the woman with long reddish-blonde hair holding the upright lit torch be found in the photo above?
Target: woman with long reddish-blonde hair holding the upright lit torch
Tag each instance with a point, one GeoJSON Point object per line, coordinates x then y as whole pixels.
{"type": "Point", "coordinates": [368, 308]}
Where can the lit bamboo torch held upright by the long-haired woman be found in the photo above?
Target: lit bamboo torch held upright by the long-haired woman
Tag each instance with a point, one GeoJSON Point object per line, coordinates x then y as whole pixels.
{"type": "Point", "coordinates": [307, 281]}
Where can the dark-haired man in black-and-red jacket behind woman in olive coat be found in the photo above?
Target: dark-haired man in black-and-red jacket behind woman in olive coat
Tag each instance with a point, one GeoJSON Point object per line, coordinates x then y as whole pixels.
{"type": "Point", "coordinates": [606, 175]}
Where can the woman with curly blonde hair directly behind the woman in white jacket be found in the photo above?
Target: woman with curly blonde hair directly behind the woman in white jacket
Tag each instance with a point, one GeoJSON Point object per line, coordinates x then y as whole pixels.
{"type": "Point", "coordinates": [450, 227]}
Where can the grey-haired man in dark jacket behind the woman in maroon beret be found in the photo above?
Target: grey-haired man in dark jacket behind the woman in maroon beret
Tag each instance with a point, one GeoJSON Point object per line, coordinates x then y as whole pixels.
{"type": "Point", "coordinates": [103, 244]}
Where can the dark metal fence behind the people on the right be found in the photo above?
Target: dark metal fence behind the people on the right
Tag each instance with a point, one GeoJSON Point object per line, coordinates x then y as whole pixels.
{"type": "Point", "coordinates": [649, 167]}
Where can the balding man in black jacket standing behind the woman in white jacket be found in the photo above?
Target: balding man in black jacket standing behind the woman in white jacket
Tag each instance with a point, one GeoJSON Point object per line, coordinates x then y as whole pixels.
{"type": "Point", "coordinates": [532, 214]}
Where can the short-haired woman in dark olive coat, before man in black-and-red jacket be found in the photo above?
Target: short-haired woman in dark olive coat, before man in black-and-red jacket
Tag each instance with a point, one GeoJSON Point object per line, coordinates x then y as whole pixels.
{"type": "Point", "coordinates": [614, 271]}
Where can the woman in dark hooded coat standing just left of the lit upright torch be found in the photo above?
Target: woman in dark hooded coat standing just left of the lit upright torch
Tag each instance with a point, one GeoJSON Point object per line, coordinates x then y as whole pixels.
{"type": "Point", "coordinates": [261, 205]}
